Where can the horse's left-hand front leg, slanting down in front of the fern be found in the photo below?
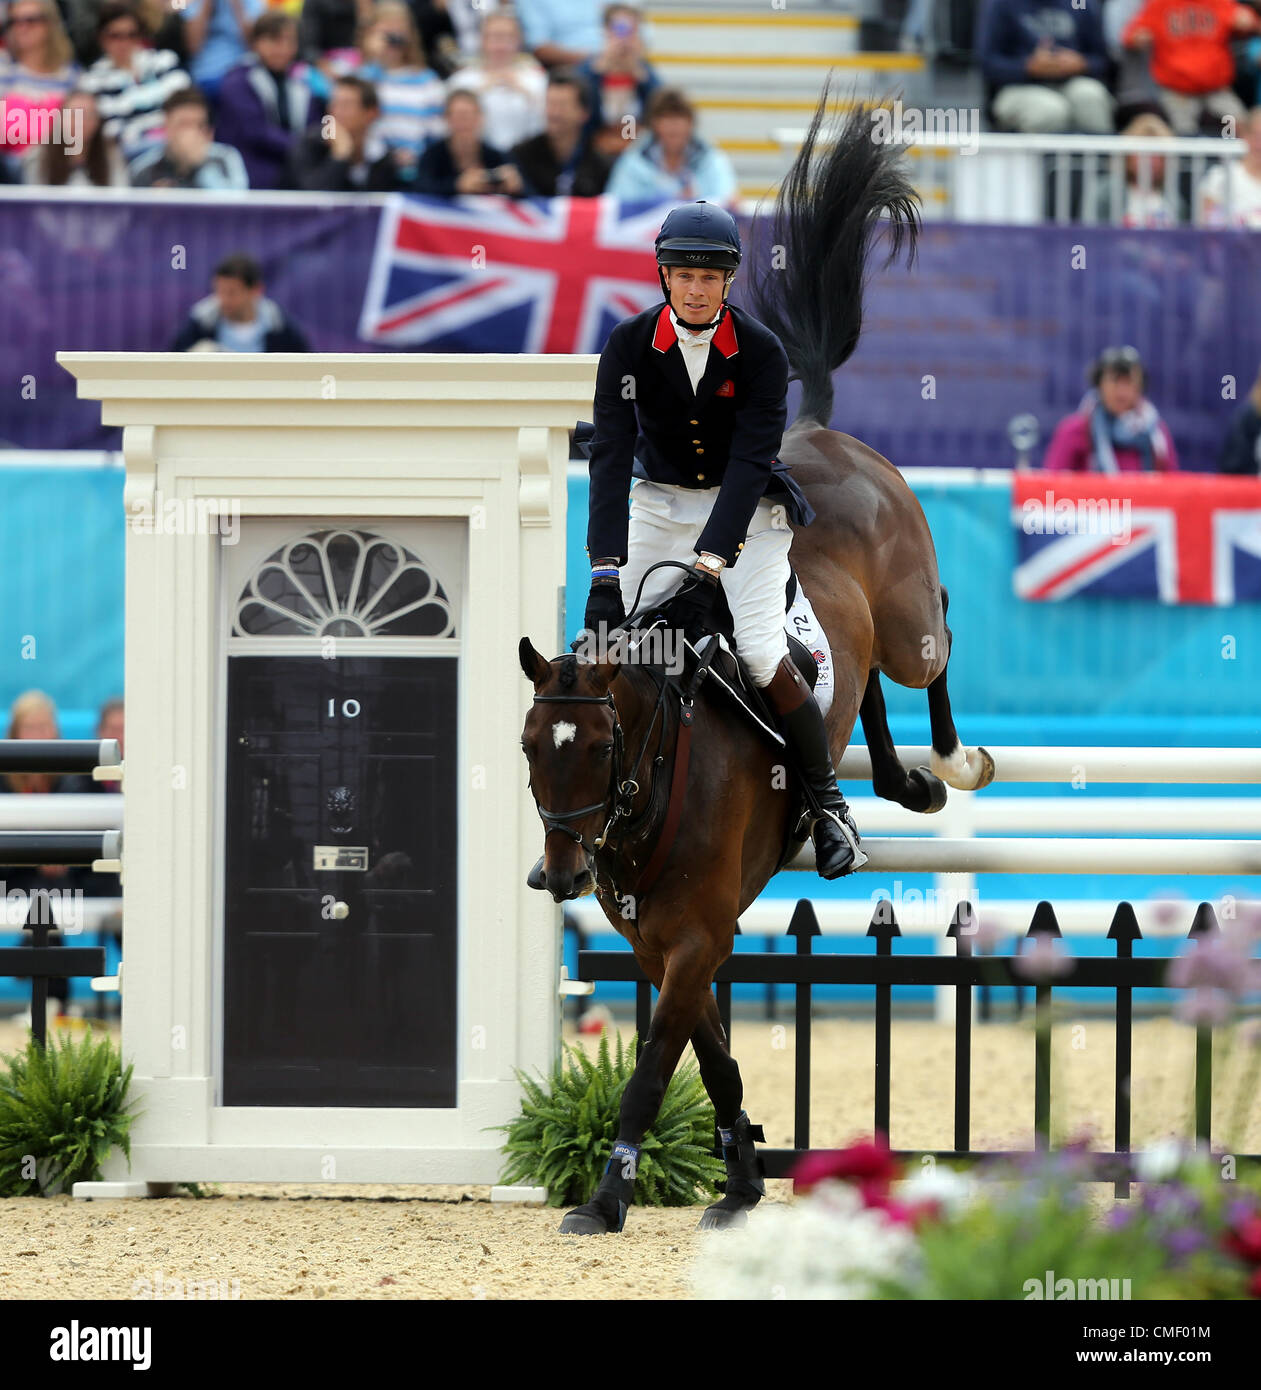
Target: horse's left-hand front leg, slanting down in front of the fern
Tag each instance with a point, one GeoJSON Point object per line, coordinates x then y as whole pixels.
{"type": "Point", "coordinates": [689, 970]}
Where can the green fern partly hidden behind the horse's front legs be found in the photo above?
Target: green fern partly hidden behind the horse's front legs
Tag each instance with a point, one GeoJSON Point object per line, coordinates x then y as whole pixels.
{"type": "Point", "coordinates": [568, 1127]}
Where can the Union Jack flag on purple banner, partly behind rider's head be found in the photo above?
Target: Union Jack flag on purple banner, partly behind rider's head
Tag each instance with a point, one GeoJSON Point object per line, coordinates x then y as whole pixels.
{"type": "Point", "coordinates": [501, 275]}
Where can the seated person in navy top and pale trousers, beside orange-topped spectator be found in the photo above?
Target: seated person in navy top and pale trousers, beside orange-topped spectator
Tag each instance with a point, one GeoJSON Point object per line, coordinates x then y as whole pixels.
{"type": "Point", "coordinates": [1046, 60]}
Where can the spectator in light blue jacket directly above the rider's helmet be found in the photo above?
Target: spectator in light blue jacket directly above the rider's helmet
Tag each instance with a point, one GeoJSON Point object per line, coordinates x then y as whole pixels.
{"type": "Point", "coordinates": [672, 162]}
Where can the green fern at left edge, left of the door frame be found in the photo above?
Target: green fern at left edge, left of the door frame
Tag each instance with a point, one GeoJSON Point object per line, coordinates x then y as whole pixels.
{"type": "Point", "coordinates": [63, 1107]}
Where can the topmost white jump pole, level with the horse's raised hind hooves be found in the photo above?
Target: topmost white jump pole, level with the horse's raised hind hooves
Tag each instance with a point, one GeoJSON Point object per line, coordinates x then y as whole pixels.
{"type": "Point", "coordinates": [1216, 767]}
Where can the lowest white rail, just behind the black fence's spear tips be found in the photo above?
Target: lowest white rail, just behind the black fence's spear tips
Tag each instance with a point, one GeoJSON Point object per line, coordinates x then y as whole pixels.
{"type": "Point", "coordinates": [925, 915]}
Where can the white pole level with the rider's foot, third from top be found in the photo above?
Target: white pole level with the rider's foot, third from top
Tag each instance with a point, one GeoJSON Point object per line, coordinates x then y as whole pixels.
{"type": "Point", "coordinates": [1056, 857]}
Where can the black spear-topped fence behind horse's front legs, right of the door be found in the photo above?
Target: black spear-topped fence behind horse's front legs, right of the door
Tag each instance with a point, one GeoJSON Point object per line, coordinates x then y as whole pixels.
{"type": "Point", "coordinates": [967, 971]}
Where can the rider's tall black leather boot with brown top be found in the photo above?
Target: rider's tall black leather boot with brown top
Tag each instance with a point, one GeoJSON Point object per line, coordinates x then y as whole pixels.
{"type": "Point", "coordinates": [838, 844]}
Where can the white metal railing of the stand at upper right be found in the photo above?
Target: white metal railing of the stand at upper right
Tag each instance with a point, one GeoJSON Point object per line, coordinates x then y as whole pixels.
{"type": "Point", "coordinates": [1064, 179]}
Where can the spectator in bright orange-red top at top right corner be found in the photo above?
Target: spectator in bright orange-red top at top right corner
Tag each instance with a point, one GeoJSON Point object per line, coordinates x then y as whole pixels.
{"type": "Point", "coordinates": [1192, 65]}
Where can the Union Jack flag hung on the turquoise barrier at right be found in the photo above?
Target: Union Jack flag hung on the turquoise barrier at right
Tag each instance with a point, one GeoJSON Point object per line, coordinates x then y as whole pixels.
{"type": "Point", "coordinates": [1181, 539]}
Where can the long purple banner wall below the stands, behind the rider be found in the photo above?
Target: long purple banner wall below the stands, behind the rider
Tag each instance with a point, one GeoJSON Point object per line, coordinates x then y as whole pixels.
{"type": "Point", "coordinates": [993, 325]}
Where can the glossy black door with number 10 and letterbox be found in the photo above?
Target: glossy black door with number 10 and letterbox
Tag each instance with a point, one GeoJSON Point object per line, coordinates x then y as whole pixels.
{"type": "Point", "coordinates": [340, 975]}
